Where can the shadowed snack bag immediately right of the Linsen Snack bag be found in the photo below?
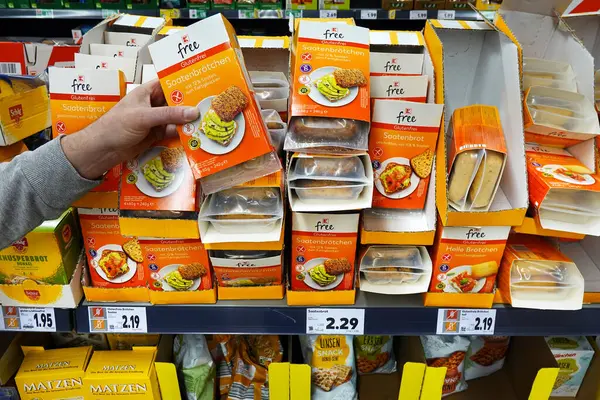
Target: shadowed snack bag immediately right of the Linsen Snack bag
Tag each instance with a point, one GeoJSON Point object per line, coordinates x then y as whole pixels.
{"type": "Point", "coordinates": [374, 354]}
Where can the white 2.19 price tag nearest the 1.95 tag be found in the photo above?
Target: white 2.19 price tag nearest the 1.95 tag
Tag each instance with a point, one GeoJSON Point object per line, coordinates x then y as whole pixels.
{"type": "Point", "coordinates": [118, 319]}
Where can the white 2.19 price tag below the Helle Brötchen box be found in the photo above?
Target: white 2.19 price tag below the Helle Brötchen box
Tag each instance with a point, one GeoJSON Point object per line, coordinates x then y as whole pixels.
{"type": "Point", "coordinates": [466, 322]}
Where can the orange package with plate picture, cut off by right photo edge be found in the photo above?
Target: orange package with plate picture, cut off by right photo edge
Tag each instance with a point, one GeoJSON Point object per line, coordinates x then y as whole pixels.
{"type": "Point", "coordinates": [565, 194]}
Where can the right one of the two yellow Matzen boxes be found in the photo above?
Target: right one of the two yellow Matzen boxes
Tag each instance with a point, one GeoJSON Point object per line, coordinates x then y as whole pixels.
{"type": "Point", "coordinates": [126, 374]}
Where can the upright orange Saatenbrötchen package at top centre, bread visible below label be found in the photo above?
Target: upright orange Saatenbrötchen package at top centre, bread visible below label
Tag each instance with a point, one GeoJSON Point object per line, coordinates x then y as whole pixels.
{"type": "Point", "coordinates": [329, 108]}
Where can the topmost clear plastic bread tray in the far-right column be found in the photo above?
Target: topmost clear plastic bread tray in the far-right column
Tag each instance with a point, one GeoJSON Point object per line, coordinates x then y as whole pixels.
{"type": "Point", "coordinates": [558, 75]}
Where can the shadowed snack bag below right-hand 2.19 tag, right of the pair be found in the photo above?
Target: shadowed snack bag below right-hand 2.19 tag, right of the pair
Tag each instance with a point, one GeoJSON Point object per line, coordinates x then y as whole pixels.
{"type": "Point", "coordinates": [485, 356]}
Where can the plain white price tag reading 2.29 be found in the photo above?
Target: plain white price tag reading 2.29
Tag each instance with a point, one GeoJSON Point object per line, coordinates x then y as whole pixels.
{"type": "Point", "coordinates": [337, 321]}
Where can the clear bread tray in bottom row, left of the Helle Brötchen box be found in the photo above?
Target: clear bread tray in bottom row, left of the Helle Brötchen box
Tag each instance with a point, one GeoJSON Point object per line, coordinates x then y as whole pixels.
{"type": "Point", "coordinates": [382, 265]}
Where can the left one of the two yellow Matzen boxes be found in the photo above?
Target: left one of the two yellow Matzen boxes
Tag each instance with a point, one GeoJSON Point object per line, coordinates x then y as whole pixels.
{"type": "Point", "coordinates": [53, 374]}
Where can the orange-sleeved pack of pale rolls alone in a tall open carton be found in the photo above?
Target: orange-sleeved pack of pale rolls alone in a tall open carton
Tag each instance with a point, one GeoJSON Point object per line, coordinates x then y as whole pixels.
{"type": "Point", "coordinates": [477, 157]}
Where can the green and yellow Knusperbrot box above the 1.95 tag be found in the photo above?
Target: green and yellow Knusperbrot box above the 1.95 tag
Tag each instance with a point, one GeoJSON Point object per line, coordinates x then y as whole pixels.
{"type": "Point", "coordinates": [46, 255]}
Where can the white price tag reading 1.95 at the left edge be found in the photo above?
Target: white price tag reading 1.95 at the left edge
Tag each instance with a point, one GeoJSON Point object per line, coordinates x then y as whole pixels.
{"type": "Point", "coordinates": [30, 319]}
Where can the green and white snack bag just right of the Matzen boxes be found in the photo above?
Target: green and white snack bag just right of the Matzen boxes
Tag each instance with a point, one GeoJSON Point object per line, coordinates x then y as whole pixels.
{"type": "Point", "coordinates": [195, 366]}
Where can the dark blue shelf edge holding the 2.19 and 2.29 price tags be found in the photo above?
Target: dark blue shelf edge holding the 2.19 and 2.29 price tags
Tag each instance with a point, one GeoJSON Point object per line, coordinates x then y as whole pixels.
{"type": "Point", "coordinates": [401, 315]}
